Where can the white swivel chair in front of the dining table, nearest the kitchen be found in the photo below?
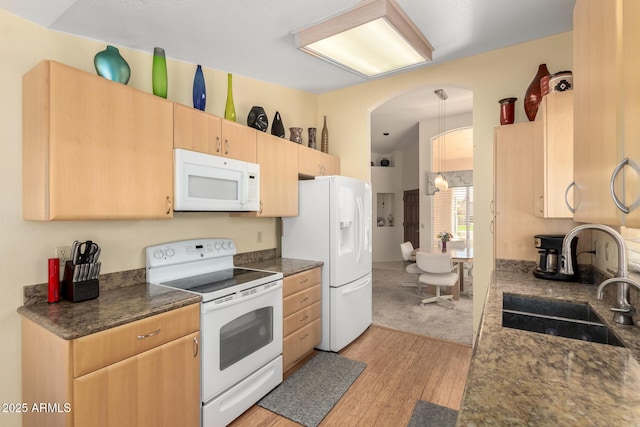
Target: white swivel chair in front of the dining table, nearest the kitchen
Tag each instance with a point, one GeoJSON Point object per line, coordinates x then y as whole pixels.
{"type": "Point", "coordinates": [437, 271]}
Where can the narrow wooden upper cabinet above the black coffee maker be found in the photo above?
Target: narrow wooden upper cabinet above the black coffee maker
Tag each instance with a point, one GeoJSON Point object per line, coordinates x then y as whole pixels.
{"type": "Point", "coordinates": [553, 156]}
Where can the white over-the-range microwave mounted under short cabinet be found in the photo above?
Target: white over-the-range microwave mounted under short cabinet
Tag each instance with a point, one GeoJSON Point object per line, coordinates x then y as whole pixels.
{"type": "Point", "coordinates": [204, 182]}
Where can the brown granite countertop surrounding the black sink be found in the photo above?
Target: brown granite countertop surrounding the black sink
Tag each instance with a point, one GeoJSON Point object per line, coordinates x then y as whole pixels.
{"type": "Point", "coordinates": [526, 378]}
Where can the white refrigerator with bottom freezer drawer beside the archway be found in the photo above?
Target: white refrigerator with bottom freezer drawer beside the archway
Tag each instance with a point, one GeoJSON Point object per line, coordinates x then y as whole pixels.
{"type": "Point", "coordinates": [334, 226]}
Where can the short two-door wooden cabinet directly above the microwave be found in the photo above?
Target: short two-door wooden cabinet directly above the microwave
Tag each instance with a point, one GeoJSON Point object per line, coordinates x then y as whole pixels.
{"type": "Point", "coordinates": [199, 131]}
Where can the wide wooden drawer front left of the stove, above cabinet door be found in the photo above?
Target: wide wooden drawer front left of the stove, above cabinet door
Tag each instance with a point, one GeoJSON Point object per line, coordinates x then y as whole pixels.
{"type": "Point", "coordinates": [104, 348]}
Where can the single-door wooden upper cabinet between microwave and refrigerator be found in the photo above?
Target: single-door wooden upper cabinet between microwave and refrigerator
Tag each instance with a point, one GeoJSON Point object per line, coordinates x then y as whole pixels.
{"type": "Point", "coordinates": [278, 160]}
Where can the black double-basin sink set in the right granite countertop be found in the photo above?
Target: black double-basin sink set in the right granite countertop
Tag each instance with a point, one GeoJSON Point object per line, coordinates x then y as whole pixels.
{"type": "Point", "coordinates": [566, 319]}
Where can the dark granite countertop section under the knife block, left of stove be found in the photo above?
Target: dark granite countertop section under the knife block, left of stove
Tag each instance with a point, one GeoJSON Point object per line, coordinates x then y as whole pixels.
{"type": "Point", "coordinates": [114, 307]}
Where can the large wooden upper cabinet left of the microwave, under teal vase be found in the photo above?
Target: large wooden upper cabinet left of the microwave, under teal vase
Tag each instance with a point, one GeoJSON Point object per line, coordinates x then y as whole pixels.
{"type": "Point", "coordinates": [93, 148]}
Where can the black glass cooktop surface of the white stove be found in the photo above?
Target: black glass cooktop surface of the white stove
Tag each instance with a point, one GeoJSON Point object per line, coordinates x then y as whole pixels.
{"type": "Point", "coordinates": [218, 280]}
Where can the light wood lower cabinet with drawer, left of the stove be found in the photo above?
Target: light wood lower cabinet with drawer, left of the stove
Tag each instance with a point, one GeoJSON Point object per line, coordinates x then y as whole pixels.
{"type": "Point", "coordinates": [157, 385]}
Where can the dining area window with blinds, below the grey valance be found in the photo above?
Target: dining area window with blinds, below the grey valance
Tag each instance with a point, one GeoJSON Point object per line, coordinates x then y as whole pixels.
{"type": "Point", "coordinates": [452, 211]}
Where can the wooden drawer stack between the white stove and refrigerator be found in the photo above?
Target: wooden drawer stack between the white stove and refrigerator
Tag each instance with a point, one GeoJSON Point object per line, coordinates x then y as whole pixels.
{"type": "Point", "coordinates": [302, 312]}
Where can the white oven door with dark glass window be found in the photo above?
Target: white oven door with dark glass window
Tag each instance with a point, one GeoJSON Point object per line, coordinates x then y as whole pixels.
{"type": "Point", "coordinates": [240, 334]}
